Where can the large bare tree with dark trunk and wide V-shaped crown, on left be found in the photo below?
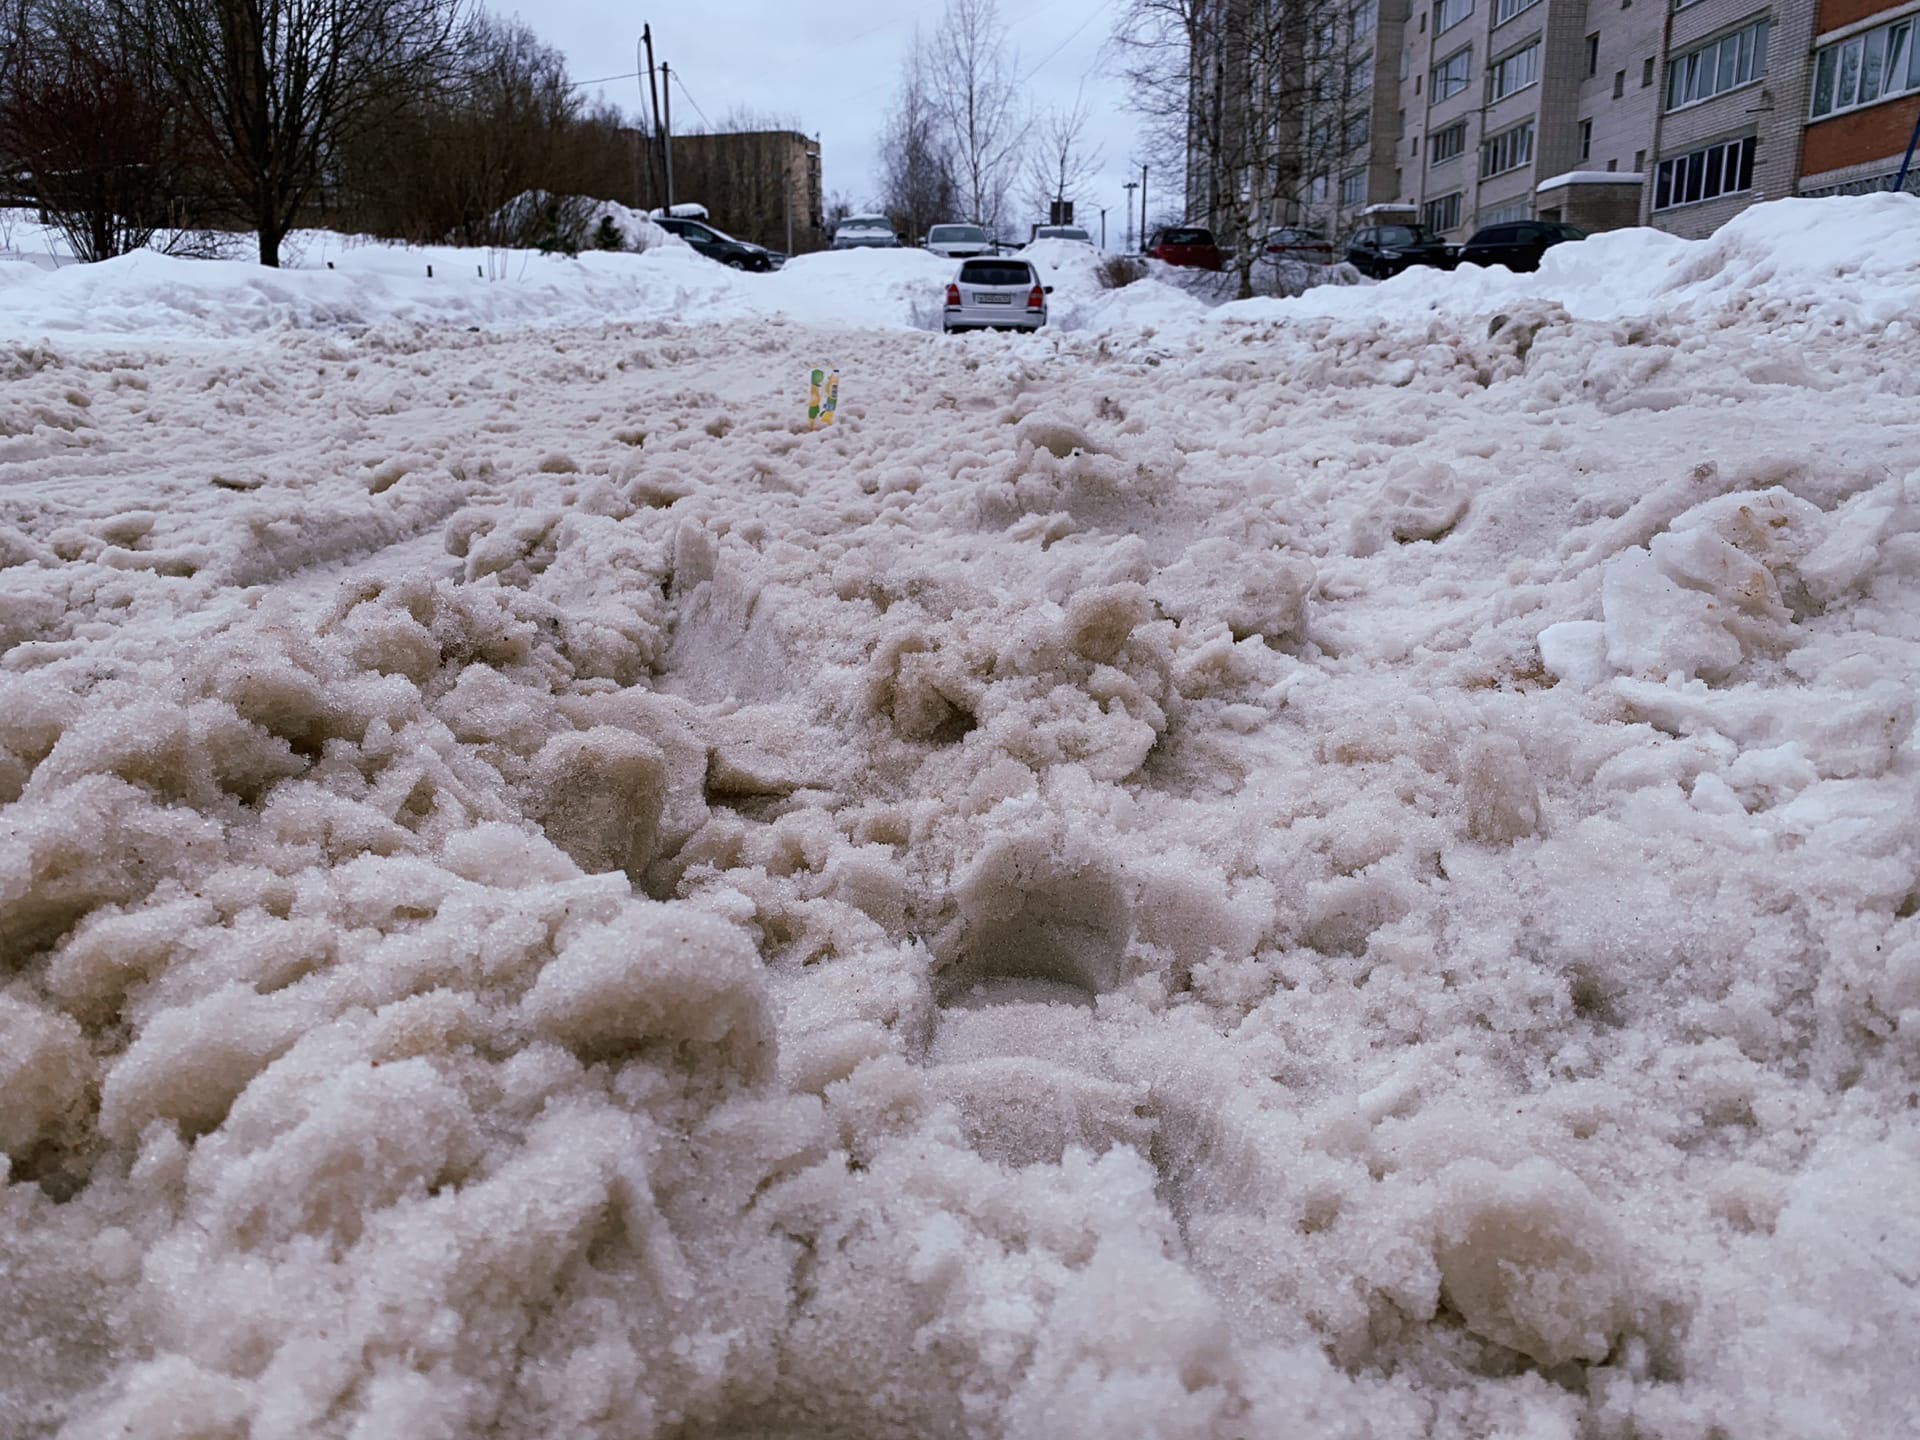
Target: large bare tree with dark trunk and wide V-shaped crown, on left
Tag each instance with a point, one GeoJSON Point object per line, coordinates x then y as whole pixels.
{"type": "Point", "coordinates": [281, 87]}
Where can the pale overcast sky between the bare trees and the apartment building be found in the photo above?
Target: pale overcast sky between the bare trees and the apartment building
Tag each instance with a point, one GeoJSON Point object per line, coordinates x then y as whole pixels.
{"type": "Point", "coordinates": [832, 72]}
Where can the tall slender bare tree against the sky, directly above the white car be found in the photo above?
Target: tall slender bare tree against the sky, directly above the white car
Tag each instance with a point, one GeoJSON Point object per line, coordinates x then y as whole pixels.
{"type": "Point", "coordinates": [974, 91]}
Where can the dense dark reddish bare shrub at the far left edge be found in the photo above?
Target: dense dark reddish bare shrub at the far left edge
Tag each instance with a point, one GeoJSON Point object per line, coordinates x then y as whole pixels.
{"type": "Point", "coordinates": [93, 130]}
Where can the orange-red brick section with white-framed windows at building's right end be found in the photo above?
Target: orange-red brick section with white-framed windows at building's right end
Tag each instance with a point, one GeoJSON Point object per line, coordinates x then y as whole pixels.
{"type": "Point", "coordinates": [1863, 97]}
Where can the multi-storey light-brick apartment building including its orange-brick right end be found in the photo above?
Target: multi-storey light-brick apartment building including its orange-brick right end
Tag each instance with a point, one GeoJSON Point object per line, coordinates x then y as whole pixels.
{"type": "Point", "coordinates": [1675, 114]}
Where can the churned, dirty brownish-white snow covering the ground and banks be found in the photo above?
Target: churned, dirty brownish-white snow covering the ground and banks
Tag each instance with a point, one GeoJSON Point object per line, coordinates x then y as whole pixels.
{"type": "Point", "coordinates": [1314, 869]}
